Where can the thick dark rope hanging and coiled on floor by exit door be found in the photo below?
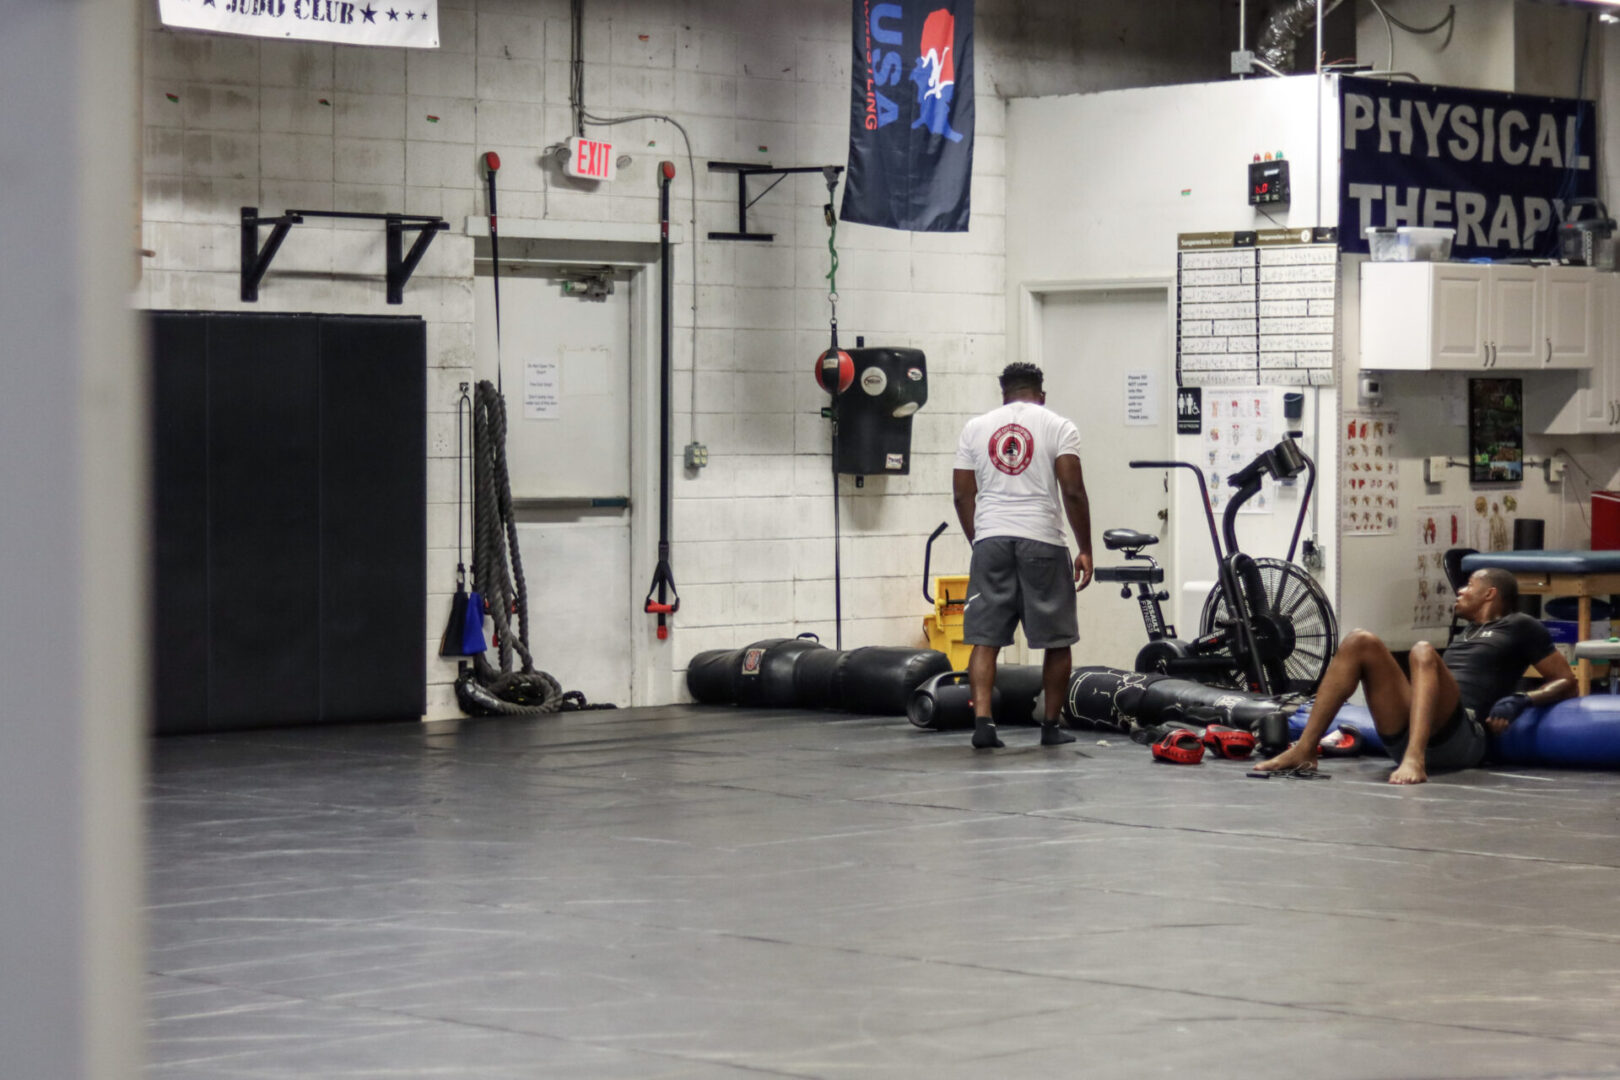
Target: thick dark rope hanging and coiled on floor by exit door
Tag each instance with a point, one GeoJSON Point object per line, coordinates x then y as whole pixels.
{"type": "Point", "coordinates": [516, 687]}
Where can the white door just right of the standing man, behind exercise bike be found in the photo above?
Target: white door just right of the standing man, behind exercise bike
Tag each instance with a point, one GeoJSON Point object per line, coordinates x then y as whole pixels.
{"type": "Point", "coordinates": [1091, 344]}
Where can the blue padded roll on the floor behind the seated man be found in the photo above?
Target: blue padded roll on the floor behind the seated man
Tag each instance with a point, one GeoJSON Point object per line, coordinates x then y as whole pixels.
{"type": "Point", "coordinates": [1577, 734]}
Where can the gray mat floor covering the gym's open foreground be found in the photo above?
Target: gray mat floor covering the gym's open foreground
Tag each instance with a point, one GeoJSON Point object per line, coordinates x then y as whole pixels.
{"type": "Point", "coordinates": [717, 893]}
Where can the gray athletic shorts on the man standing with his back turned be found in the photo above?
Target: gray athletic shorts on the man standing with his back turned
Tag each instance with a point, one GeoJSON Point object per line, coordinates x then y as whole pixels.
{"type": "Point", "coordinates": [1018, 580]}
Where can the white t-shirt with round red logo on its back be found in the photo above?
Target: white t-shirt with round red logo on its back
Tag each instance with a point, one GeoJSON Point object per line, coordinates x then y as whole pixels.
{"type": "Point", "coordinates": [1013, 453]}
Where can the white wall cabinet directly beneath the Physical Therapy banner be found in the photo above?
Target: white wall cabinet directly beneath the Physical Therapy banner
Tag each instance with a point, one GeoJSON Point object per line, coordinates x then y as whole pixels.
{"type": "Point", "coordinates": [1464, 317]}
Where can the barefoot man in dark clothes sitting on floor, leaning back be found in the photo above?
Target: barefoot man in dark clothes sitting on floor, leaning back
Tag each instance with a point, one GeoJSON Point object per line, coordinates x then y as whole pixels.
{"type": "Point", "coordinates": [1439, 718]}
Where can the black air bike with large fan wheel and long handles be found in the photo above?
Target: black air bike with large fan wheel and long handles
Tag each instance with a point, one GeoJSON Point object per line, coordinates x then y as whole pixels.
{"type": "Point", "coordinates": [1268, 626]}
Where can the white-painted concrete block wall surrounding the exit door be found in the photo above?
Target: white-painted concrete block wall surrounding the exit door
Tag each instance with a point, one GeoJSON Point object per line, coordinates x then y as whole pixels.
{"type": "Point", "coordinates": [236, 122]}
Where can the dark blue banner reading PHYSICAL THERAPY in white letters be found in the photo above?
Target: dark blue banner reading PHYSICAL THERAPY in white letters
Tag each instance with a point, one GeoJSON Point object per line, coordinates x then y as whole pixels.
{"type": "Point", "coordinates": [1501, 169]}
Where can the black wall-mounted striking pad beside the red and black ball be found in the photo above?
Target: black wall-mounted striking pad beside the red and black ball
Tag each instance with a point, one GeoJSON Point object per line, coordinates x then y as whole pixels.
{"type": "Point", "coordinates": [874, 415]}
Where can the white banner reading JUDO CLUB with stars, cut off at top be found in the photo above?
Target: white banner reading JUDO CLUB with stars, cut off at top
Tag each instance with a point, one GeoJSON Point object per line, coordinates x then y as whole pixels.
{"type": "Point", "coordinates": [401, 23]}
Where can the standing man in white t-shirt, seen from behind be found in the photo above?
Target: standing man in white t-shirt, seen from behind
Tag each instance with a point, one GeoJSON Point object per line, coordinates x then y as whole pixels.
{"type": "Point", "coordinates": [1015, 469]}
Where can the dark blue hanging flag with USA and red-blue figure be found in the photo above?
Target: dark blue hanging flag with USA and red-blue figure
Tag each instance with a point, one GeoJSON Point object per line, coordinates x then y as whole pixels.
{"type": "Point", "coordinates": [911, 121]}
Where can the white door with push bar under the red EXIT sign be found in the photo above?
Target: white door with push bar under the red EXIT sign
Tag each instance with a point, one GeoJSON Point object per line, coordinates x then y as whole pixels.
{"type": "Point", "coordinates": [566, 373]}
